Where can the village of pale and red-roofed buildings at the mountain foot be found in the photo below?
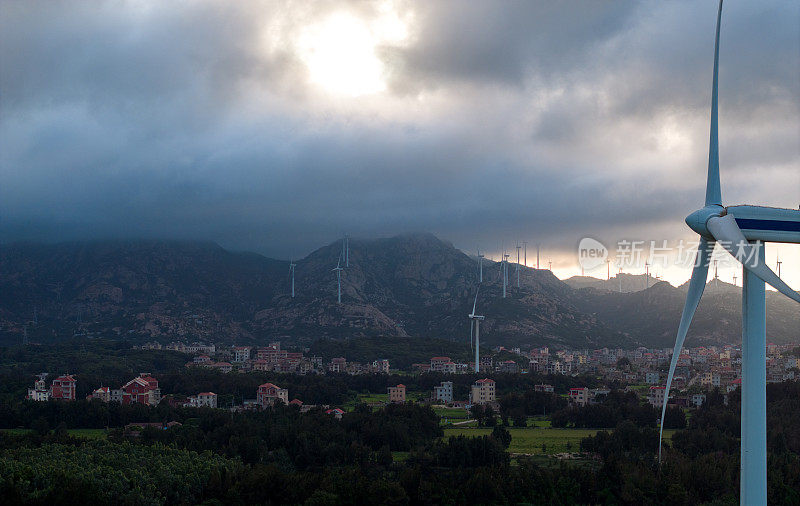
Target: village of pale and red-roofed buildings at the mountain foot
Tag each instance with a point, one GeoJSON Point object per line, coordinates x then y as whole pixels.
{"type": "Point", "coordinates": [642, 371]}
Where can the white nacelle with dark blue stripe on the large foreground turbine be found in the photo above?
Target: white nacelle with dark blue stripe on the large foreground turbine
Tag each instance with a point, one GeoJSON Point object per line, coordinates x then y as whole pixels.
{"type": "Point", "coordinates": [767, 224]}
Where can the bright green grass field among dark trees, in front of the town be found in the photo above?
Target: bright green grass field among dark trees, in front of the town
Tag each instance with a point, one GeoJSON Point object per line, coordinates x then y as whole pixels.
{"type": "Point", "coordinates": [530, 441]}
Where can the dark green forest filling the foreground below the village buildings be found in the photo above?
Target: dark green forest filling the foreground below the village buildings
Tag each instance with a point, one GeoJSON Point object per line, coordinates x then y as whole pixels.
{"type": "Point", "coordinates": [283, 456]}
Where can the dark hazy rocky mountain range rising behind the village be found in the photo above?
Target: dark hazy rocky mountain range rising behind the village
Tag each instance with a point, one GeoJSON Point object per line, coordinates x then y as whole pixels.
{"type": "Point", "coordinates": [411, 285]}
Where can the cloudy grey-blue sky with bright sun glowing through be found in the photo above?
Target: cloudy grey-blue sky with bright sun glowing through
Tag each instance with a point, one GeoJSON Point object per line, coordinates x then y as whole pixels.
{"type": "Point", "coordinates": [276, 126]}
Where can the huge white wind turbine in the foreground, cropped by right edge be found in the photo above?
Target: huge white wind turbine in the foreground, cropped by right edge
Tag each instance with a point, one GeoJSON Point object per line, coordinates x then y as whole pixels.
{"type": "Point", "coordinates": [740, 230]}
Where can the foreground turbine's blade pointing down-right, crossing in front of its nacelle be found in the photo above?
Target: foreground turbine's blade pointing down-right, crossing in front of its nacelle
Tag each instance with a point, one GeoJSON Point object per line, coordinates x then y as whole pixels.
{"type": "Point", "coordinates": [730, 236]}
